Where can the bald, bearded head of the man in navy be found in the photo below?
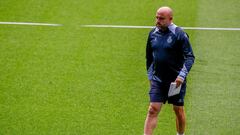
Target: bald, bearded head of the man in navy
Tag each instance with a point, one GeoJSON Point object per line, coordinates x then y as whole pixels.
{"type": "Point", "coordinates": [164, 17]}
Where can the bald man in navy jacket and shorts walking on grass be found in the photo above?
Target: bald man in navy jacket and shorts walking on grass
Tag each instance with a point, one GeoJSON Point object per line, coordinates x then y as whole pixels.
{"type": "Point", "coordinates": [169, 58]}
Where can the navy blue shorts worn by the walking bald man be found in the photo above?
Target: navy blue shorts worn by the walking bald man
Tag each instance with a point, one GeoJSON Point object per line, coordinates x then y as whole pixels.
{"type": "Point", "coordinates": [159, 93]}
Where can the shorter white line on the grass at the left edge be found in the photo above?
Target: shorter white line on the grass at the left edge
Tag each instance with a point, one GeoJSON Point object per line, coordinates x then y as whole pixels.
{"type": "Point", "coordinates": [29, 23]}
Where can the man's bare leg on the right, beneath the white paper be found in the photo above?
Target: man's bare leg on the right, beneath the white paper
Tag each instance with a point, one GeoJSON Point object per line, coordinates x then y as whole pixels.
{"type": "Point", "coordinates": [180, 118]}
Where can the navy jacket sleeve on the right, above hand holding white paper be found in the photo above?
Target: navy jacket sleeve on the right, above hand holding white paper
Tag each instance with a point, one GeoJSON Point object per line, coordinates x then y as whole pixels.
{"type": "Point", "coordinates": [188, 56]}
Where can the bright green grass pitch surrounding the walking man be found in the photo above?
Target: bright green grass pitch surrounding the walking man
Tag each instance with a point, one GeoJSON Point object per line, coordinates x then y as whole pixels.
{"type": "Point", "coordinates": [71, 80]}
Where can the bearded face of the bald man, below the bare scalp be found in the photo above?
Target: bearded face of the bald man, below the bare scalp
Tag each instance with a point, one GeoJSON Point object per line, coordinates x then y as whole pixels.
{"type": "Point", "coordinates": [163, 20]}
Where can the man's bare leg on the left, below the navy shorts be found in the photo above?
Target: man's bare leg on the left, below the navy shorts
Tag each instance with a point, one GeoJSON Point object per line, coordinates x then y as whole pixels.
{"type": "Point", "coordinates": [151, 120]}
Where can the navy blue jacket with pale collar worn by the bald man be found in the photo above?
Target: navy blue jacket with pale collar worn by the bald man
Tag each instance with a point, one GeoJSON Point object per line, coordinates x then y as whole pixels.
{"type": "Point", "coordinates": [168, 54]}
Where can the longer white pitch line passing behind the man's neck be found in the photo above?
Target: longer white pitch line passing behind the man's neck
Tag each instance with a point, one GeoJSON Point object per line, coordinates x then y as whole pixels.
{"type": "Point", "coordinates": [148, 27]}
